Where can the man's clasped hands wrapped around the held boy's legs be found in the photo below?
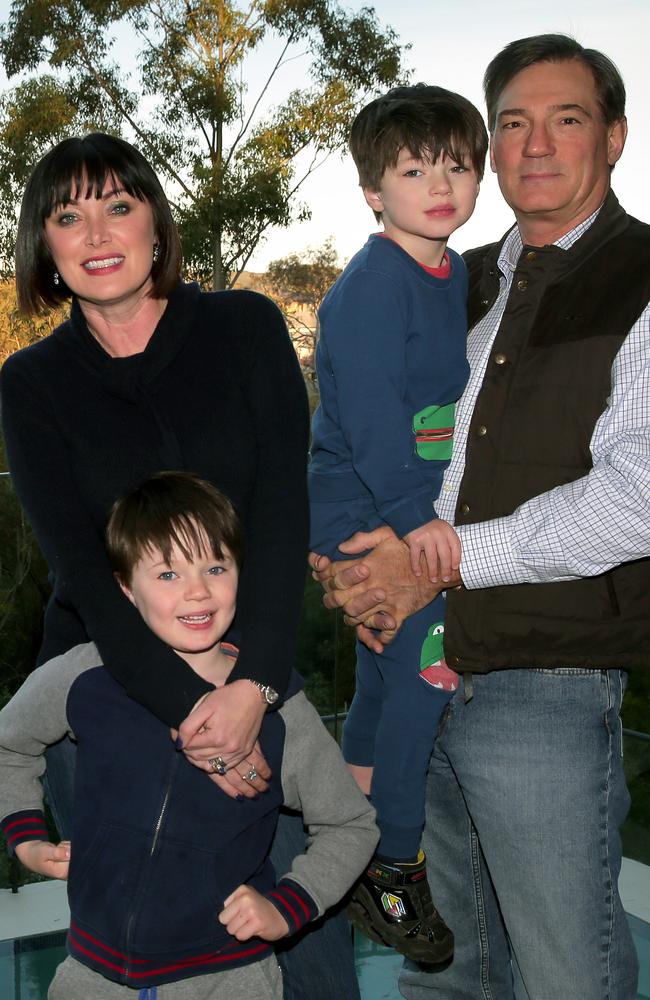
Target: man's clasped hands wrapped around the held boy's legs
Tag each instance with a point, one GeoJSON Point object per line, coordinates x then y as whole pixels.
{"type": "Point", "coordinates": [378, 591]}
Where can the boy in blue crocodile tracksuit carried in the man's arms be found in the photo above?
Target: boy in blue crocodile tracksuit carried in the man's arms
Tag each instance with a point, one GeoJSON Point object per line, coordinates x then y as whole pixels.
{"type": "Point", "coordinates": [391, 365]}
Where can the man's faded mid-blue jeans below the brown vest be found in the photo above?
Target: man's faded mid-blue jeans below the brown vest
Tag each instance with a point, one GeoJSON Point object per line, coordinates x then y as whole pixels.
{"type": "Point", "coordinates": [525, 799]}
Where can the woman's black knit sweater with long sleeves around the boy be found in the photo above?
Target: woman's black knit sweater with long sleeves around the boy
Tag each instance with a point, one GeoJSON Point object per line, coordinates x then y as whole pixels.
{"type": "Point", "coordinates": [218, 392]}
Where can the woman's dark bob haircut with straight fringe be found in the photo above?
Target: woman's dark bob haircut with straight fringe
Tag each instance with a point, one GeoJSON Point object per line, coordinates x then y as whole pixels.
{"type": "Point", "coordinates": [77, 167]}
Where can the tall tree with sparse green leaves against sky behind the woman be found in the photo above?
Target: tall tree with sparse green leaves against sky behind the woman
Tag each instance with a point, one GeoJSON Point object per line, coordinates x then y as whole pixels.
{"type": "Point", "coordinates": [232, 163]}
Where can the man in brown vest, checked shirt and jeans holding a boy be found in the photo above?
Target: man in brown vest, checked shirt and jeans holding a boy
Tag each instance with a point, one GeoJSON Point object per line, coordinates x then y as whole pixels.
{"type": "Point", "coordinates": [549, 485]}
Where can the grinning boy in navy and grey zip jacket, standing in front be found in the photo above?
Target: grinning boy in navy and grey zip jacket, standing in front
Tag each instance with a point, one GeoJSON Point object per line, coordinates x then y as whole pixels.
{"type": "Point", "coordinates": [170, 885]}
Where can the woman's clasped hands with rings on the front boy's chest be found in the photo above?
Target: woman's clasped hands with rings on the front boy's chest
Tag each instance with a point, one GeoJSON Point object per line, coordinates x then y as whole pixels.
{"type": "Point", "coordinates": [225, 723]}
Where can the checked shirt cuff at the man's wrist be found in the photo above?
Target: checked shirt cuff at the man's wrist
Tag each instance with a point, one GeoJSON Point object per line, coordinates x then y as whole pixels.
{"type": "Point", "coordinates": [486, 556]}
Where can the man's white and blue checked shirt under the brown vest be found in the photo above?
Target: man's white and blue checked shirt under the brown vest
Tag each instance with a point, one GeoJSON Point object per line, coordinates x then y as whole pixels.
{"type": "Point", "coordinates": [581, 528]}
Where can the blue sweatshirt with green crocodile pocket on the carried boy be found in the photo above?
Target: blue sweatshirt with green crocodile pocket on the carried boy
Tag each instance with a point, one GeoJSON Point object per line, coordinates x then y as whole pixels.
{"type": "Point", "coordinates": [391, 362]}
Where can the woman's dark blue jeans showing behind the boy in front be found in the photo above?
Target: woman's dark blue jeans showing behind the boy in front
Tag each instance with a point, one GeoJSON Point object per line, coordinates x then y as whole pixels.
{"type": "Point", "coordinates": [317, 963]}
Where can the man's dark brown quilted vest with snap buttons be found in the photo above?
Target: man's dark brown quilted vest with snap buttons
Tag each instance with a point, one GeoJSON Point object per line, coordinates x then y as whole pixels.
{"type": "Point", "coordinates": [547, 381]}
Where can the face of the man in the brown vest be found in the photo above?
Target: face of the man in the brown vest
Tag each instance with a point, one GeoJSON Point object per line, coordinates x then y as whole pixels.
{"type": "Point", "coordinates": [551, 149]}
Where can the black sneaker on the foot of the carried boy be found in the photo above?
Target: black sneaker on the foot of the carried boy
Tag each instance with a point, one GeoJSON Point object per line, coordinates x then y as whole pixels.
{"type": "Point", "coordinates": [391, 904]}
